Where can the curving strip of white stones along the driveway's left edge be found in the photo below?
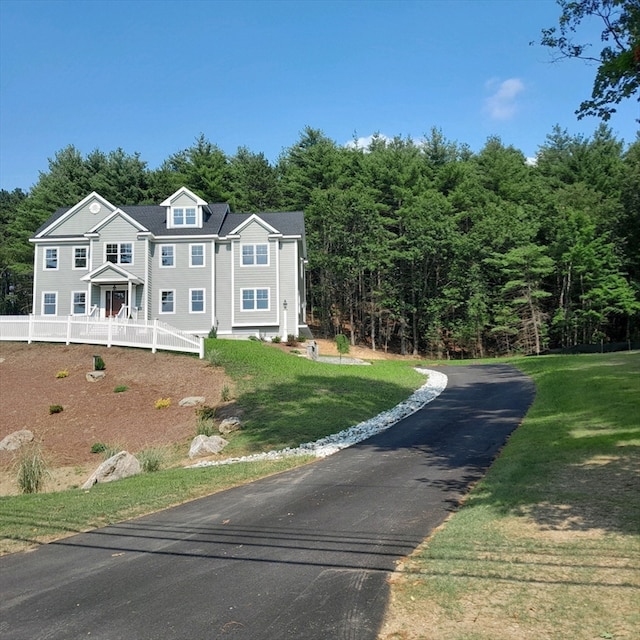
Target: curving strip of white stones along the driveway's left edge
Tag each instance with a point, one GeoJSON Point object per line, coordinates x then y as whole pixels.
{"type": "Point", "coordinates": [435, 385]}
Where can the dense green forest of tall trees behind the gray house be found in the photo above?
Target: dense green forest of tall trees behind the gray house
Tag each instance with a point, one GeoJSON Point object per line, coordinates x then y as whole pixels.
{"type": "Point", "coordinates": [416, 246]}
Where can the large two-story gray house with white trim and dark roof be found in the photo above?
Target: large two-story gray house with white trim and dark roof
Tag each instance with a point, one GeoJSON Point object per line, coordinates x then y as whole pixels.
{"type": "Point", "coordinates": [191, 264]}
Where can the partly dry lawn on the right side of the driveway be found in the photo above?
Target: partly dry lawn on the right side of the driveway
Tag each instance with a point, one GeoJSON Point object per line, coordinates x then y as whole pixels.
{"type": "Point", "coordinates": [547, 545]}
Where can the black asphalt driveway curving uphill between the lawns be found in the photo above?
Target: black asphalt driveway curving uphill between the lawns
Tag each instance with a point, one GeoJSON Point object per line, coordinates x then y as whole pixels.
{"type": "Point", "coordinates": [304, 554]}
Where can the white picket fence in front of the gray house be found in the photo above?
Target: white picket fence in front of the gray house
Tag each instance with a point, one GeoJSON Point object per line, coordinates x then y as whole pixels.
{"type": "Point", "coordinates": [119, 332]}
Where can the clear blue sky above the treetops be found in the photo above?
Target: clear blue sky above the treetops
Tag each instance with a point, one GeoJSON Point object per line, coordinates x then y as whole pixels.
{"type": "Point", "coordinates": [151, 76]}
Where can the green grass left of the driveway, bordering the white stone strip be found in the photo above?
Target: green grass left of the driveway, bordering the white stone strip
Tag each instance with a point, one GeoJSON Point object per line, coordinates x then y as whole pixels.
{"type": "Point", "coordinates": [285, 401]}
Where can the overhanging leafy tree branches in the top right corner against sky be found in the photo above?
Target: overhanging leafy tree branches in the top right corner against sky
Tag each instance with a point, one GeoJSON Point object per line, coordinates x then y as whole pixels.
{"type": "Point", "coordinates": [618, 74]}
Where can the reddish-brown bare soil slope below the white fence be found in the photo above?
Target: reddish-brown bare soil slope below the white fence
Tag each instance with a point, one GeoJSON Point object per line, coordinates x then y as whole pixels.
{"type": "Point", "coordinates": [94, 413]}
